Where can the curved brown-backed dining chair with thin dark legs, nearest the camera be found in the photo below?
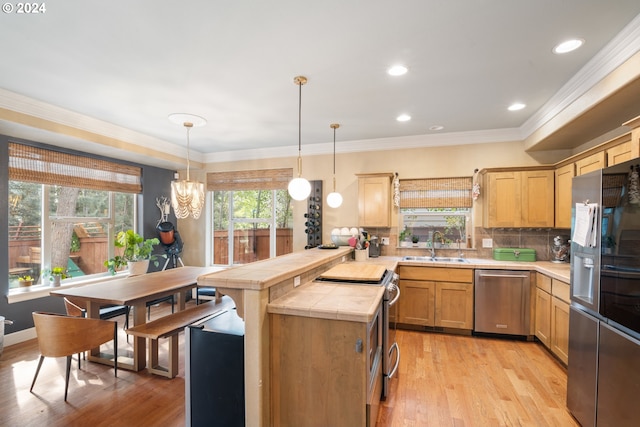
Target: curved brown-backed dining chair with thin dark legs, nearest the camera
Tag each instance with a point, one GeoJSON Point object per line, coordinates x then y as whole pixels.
{"type": "Point", "coordinates": [61, 335]}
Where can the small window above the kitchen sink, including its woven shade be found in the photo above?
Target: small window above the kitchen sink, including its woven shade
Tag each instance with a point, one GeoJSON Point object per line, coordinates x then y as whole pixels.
{"type": "Point", "coordinates": [436, 211]}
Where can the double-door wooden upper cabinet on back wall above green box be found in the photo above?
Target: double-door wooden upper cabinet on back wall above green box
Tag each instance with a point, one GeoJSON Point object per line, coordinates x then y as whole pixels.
{"type": "Point", "coordinates": [519, 199]}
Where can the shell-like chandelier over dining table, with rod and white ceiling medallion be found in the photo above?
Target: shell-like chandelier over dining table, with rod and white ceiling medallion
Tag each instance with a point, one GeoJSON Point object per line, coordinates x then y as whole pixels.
{"type": "Point", "coordinates": [187, 197]}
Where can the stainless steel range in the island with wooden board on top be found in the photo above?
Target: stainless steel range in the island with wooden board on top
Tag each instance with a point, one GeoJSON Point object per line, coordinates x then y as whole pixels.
{"type": "Point", "coordinates": [376, 276]}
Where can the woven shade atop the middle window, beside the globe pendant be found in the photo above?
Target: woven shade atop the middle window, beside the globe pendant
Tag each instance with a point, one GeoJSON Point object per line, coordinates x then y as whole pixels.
{"type": "Point", "coordinates": [264, 179]}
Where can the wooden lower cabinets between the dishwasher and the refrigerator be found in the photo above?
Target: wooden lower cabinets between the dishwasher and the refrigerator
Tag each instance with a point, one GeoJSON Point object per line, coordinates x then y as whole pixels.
{"type": "Point", "coordinates": [552, 315]}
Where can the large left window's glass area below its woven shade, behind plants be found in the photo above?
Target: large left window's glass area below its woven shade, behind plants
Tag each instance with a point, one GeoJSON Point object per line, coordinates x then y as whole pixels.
{"type": "Point", "coordinates": [77, 233]}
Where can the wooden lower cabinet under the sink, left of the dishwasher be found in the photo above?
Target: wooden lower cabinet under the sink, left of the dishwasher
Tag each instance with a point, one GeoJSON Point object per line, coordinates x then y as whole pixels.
{"type": "Point", "coordinates": [436, 297]}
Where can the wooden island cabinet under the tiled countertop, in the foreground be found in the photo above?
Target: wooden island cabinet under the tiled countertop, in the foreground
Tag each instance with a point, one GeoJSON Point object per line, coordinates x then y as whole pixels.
{"type": "Point", "coordinates": [319, 373]}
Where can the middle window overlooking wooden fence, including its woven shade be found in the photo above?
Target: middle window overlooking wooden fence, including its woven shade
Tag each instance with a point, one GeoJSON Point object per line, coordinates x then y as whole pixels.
{"type": "Point", "coordinates": [252, 215]}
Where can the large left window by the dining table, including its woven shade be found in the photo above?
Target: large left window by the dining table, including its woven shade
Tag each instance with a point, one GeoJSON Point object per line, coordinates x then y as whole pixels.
{"type": "Point", "coordinates": [64, 210]}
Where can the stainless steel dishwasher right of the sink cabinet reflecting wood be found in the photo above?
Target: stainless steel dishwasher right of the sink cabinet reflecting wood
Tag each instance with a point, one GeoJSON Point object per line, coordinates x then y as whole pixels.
{"type": "Point", "coordinates": [502, 302]}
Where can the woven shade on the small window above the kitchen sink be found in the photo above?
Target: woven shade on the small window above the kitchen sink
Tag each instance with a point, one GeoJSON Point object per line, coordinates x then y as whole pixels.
{"type": "Point", "coordinates": [436, 193]}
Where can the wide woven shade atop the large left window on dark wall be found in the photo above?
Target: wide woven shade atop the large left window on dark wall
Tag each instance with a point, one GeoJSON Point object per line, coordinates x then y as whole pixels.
{"type": "Point", "coordinates": [39, 165]}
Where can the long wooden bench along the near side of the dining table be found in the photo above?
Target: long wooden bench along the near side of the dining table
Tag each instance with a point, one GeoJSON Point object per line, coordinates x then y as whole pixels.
{"type": "Point", "coordinates": [169, 327]}
